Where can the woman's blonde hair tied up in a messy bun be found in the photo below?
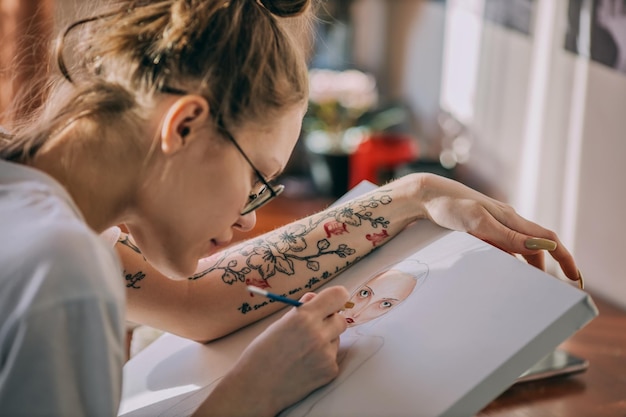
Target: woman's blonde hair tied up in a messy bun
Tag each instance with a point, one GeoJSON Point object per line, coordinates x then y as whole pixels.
{"type": "Point", "coordinates": [246, 57]}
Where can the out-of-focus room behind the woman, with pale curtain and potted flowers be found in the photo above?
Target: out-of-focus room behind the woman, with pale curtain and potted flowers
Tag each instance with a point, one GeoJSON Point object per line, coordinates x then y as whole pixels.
{"type": "Point", "coordinates": [521, 99]}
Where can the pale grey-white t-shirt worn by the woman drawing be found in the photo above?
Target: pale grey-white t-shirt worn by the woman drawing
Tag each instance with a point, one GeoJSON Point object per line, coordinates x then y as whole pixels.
{"type": "Point", "coordinates": [61, 304]}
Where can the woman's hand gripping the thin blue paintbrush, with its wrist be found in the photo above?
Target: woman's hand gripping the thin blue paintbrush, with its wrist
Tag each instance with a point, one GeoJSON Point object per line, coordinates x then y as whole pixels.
{"type": "Point", "coordinates": [291, 358]}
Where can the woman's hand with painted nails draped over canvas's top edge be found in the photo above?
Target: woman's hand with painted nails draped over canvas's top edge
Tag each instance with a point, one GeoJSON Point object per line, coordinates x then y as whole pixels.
{"type": "Point", "coordinates": [452, 205]}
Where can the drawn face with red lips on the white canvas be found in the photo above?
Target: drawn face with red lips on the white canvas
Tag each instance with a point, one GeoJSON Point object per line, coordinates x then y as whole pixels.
{"type": "Point", "coordinates": [379, 295]}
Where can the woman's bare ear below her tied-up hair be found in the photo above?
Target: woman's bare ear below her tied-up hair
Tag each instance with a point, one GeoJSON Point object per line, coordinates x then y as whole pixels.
{"type": "Point", "coordinates": [183, 119]}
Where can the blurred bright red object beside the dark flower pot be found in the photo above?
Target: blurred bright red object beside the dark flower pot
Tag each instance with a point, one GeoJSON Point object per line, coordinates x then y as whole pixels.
{"type": "Point", "coordinates": [379, 153]}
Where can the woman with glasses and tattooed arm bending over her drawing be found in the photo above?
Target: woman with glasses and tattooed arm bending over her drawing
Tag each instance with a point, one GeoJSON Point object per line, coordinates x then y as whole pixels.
{"type": "Point", "coordinates": [173, 121]}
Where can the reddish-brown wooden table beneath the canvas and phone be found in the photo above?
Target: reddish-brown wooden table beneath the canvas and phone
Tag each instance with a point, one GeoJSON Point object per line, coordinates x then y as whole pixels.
{"type": "Point", "coordinates": [600, 391]}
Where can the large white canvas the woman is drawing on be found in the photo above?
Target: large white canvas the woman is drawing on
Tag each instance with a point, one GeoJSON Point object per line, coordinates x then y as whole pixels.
{"type": "Point", "coordinates": [477, 319]}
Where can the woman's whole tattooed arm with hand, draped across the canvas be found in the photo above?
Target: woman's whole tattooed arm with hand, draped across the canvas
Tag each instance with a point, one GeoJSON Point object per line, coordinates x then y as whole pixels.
{"type": "Point", "coordinates": [303, 255]}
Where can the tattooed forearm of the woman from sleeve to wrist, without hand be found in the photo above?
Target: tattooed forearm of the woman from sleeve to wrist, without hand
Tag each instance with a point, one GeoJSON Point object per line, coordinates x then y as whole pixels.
{"type": "Point", "coordinates": [291, 260]}
